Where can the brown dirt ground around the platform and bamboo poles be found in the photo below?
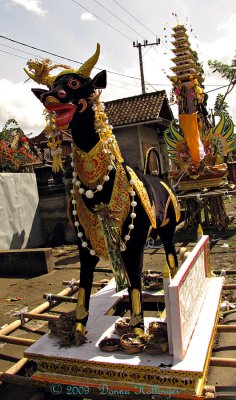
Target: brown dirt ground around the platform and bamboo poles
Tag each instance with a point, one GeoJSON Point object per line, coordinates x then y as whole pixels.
{"type": "Point", "coordinates": [24, 293]}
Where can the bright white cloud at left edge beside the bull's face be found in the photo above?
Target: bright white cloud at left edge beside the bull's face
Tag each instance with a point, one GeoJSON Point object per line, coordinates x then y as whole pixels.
{"type": "Point", "coordinates": [18, 102]}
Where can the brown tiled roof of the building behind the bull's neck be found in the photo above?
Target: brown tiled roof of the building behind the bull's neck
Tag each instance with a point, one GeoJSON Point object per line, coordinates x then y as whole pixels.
{"type": "Point", "coordinates": [142, 108]}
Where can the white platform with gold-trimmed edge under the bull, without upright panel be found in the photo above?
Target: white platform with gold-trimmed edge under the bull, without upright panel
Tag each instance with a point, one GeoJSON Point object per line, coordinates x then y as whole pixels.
{"type": "Point", "coordinates": [87, 371]}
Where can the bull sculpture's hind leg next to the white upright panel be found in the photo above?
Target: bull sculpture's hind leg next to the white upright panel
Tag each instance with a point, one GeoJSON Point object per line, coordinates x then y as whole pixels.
{"type": "Point", "coordinates": [166, 234]}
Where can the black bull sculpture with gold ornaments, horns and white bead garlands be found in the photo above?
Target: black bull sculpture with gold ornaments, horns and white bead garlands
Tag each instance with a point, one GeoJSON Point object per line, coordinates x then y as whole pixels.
{"type": "Point", "coordinates": [112, 205]}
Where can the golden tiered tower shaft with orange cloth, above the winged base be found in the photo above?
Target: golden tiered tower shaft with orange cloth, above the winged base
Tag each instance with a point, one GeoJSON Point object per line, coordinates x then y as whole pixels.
{"type": "Point", "coordinates": [189, 93]}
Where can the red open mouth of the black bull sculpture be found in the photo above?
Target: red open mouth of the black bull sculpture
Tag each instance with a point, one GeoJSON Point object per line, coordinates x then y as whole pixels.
{"type": "Point", "coordinates": [64, 112]}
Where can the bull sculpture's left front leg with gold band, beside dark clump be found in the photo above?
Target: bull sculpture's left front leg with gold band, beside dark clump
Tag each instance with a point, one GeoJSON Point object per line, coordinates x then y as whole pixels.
{"type": "Point", "coordinates": [87, 267]}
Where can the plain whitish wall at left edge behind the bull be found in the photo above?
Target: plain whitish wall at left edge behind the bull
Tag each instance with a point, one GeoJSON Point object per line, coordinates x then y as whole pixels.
{"type": "Point", "coordinates": [20, 223]}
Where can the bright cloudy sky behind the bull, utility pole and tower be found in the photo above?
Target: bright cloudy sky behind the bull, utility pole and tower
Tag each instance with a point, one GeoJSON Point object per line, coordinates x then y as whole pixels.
{"type": "Point", "coordinates": [71, 29]}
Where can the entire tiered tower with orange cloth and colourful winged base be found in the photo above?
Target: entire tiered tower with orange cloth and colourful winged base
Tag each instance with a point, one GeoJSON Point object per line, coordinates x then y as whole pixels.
{"type": "Point", "coordinates": [195, 144]}
